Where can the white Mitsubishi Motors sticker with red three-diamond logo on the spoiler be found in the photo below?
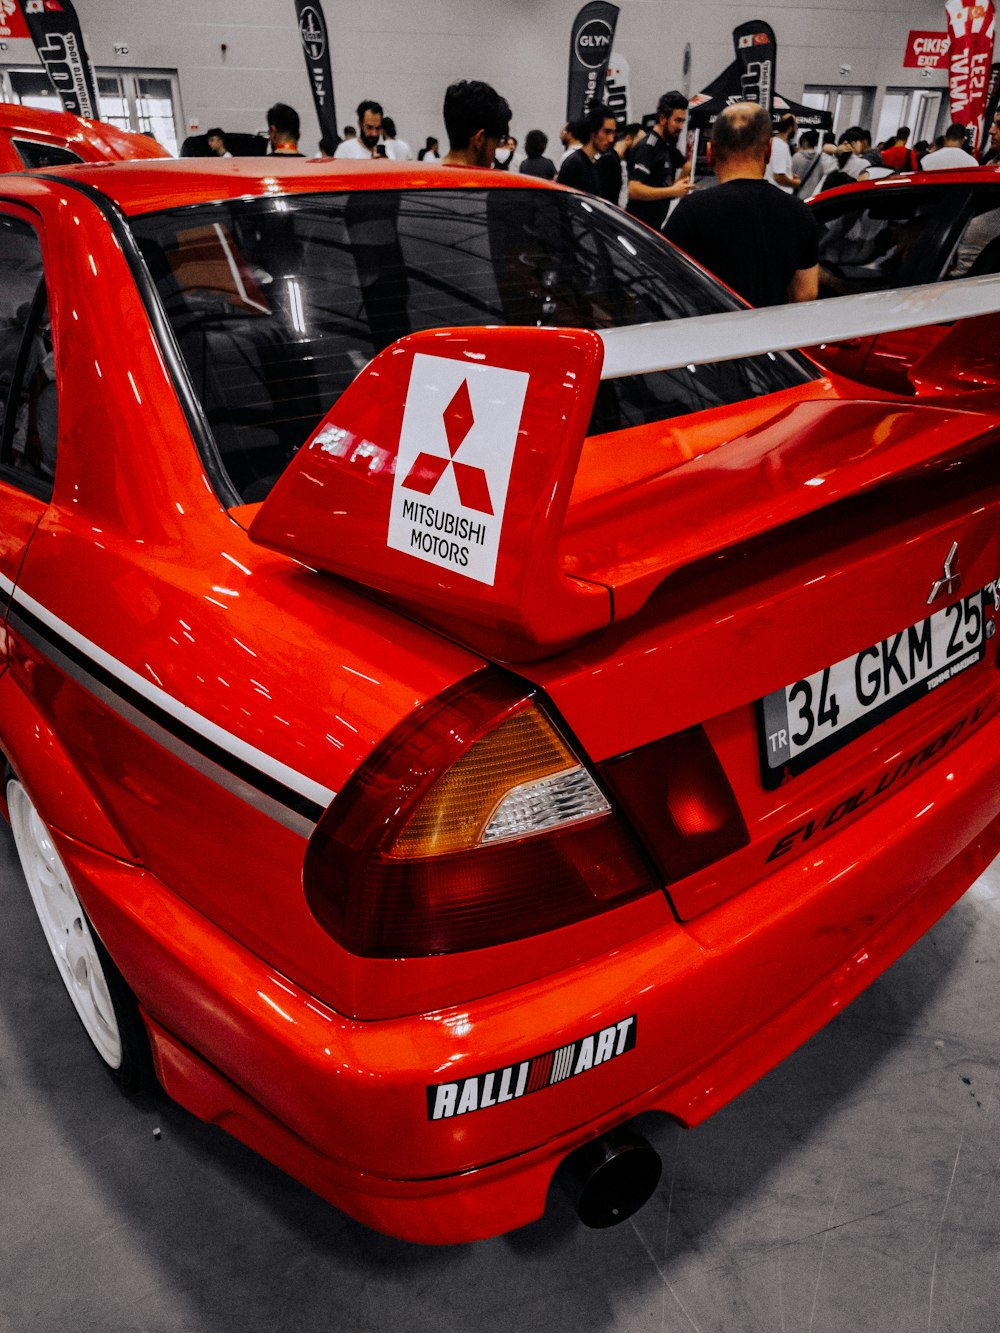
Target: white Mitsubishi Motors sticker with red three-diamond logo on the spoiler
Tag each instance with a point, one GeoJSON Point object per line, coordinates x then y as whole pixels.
{"type": "Point", "coordinates": [454, 466]}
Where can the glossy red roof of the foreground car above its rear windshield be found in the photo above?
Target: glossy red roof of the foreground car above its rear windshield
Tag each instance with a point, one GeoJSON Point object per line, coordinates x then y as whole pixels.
{"type": "Point", "coordinates": [143, 187]}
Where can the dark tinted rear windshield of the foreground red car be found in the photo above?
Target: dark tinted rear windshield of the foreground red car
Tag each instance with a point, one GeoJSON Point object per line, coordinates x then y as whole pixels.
{"type": "Point", "coordinates": [277, 305]}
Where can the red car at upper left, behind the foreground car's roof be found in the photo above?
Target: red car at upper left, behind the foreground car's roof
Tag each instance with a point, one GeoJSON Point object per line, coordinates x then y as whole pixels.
{"type": "Point", "coordinates": [34, 138]}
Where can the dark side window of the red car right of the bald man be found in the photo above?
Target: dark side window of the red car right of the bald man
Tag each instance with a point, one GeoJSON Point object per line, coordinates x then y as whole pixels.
{"type": "Point", "coordinates": [879, 242]}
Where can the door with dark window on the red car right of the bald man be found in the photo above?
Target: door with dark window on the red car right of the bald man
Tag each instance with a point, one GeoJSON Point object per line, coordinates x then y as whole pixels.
{"type": "Point", "coordinates": [881, 238]}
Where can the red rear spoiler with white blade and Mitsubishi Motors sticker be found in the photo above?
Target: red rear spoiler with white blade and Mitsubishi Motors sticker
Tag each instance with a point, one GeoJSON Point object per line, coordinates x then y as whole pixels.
{"type": "Point", "coordinates": [446, 475]}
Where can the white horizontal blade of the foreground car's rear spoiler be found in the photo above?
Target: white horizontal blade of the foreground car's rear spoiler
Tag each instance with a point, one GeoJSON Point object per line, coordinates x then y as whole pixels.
{"type": "Point", "coordinates": [645, 349]}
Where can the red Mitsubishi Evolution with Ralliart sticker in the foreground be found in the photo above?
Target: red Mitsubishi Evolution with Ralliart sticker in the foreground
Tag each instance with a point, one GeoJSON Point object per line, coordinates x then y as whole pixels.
{"type": "Point", "coordinates": [451, 706]}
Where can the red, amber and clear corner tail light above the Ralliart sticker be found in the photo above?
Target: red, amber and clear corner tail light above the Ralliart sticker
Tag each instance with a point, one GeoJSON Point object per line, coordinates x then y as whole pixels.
{"type": "Point", "coordinates": [473, 824]}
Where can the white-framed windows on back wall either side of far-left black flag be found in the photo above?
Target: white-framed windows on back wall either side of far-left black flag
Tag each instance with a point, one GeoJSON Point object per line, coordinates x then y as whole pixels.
{"type": "Point", "coordinates": [145, 101]}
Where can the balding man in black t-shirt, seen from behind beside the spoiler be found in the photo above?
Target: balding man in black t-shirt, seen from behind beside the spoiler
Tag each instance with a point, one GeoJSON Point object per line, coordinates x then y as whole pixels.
{"type": "Point", "coordinates": [757, 239]}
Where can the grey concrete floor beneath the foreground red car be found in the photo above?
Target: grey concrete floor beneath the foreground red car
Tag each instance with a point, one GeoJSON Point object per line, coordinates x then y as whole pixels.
{"type": "Point", "coordinates": [854, 1188]}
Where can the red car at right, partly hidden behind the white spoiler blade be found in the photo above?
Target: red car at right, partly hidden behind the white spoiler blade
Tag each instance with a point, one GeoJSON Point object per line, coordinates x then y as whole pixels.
{"type": "Point", "coordinates": [899, 233]}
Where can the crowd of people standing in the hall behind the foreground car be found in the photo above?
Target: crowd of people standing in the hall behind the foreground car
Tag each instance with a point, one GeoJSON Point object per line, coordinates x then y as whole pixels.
{"type": "Point", "coordinates": [753, 229]}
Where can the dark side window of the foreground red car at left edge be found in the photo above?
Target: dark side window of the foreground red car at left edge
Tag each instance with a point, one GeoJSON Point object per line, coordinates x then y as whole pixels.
{"type": "Point", "coordinates": [27, 373]}
